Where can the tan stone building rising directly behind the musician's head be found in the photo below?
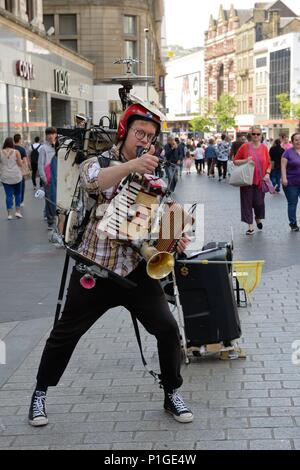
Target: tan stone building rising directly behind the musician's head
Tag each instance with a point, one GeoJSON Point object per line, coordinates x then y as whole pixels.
{"type": "Point", "coordinates": [107, 30]}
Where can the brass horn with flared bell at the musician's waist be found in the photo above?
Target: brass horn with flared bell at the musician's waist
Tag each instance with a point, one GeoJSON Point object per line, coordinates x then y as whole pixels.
{"type": "Point", "coordinates": [159, 263]}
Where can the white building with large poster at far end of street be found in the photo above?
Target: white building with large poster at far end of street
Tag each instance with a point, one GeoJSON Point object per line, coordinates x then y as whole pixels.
{"type": "Point", "coordinates": [184, 90]}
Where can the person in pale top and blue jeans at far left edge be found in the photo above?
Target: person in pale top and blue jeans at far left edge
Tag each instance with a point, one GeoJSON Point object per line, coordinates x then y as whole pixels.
{"type": "Point", "coordinates": [11, 177]}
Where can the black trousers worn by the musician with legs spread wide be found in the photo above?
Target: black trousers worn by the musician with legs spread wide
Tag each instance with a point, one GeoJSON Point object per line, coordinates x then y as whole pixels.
{"type": "Point", "coordinates": [83, 307]}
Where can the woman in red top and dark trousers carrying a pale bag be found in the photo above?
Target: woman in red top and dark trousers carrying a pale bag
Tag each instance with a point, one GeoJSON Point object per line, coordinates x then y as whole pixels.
{"type": "Point", "coordinates": [253, 195]}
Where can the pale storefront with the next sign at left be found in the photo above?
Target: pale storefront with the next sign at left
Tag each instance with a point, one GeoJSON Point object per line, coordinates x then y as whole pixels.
{"type": "Point", "coordinates": [41, 84]}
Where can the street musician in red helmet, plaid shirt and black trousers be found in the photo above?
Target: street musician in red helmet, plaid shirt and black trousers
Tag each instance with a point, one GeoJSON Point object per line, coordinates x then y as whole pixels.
{"type": "Point", "coordinates": [147, 302]}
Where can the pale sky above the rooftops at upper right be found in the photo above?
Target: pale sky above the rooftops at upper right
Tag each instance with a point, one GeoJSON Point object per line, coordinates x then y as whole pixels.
{"type": "Point", "coordinates": [186, 20]}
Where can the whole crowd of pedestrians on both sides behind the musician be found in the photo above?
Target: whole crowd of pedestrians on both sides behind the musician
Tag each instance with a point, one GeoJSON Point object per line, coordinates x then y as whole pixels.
{"type": "Point", "coordinates": [276, 161]}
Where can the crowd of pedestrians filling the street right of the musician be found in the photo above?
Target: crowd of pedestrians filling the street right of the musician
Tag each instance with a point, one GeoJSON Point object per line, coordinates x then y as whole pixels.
{"type": "Point", "coordinates": [276, 165]}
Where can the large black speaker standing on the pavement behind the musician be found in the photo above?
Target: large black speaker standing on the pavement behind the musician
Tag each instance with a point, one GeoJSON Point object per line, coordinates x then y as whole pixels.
{"type": "Point", "coordinates": [207, 297]}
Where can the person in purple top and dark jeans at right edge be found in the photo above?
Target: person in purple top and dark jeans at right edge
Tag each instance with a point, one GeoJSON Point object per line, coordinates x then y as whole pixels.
{"type": "Point", "coordinates": [290, 169]}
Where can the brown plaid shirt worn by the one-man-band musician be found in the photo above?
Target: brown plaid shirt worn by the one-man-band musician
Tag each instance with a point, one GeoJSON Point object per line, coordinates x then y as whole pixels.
{"type": "Point", "coordinates": [118, 257]}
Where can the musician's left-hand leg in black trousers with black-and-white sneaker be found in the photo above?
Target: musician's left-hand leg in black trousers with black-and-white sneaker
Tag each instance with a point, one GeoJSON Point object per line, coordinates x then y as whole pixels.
{"type": "Point", "coordinates": [82, 308]}
